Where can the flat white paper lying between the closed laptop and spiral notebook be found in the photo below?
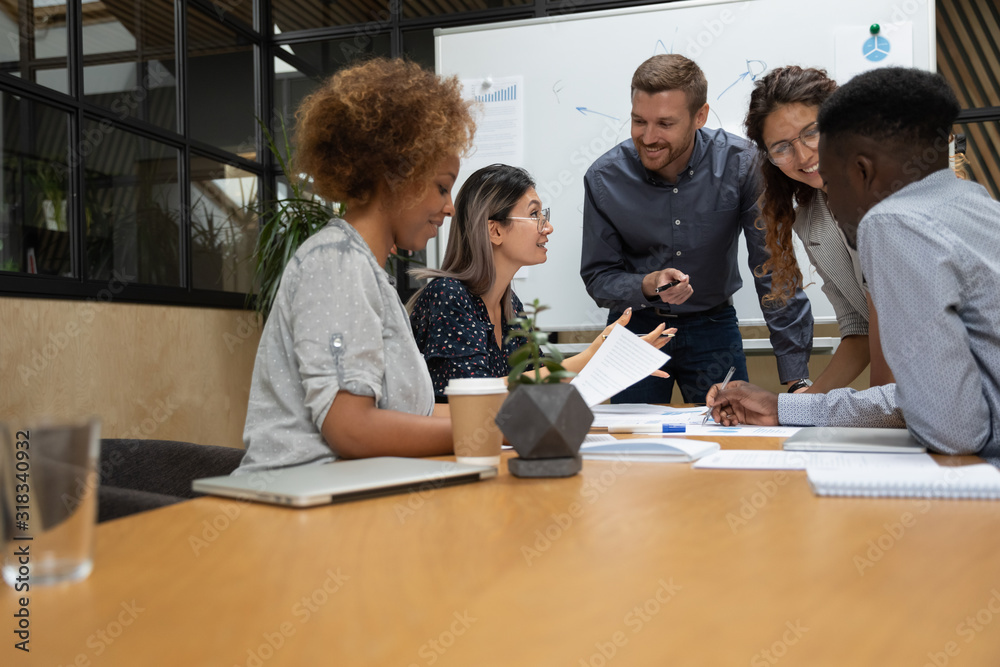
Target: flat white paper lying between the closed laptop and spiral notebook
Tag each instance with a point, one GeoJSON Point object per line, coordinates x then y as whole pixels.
{"type": "Point", "coordinates": [751, 459]}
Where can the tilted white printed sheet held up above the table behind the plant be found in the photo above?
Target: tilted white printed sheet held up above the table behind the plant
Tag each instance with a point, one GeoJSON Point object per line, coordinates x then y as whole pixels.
{"type": "Point", "coordinates": [622, 360]}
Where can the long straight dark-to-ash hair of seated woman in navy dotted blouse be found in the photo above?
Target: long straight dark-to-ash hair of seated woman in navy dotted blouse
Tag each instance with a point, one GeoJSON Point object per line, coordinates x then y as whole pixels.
{"type": "Point", "coordinates": [490, 193]}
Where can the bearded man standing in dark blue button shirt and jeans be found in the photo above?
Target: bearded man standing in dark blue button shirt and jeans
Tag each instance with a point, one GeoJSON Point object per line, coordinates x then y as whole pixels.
{"type": "Point", "coordinates": [666, 207]}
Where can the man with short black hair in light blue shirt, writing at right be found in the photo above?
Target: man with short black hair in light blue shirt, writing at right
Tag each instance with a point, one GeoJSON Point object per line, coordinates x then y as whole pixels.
{"type": "Point", "coordinates": [929, 245]}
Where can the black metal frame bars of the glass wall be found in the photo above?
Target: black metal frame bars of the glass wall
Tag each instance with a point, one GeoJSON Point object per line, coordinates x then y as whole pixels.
{"type": "Point", "coordinates": [266, 47]}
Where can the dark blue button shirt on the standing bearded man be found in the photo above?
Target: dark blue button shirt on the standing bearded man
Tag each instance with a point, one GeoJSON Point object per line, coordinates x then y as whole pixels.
{"type": "Point", "coordinates": [634, 223]}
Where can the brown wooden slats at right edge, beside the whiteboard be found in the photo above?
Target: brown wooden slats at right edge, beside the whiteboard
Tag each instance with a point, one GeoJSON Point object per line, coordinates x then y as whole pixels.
{"type": "Point", "coordinates": [968, 53]}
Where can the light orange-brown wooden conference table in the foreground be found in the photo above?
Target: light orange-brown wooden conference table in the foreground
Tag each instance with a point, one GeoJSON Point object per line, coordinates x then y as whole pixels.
{"type": "Point", "coordinates": [641, 564]}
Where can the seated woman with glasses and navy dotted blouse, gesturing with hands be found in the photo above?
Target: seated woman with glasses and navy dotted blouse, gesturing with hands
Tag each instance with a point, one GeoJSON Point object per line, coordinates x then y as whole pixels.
{"type": "Point", "coordinates": [460, 318]}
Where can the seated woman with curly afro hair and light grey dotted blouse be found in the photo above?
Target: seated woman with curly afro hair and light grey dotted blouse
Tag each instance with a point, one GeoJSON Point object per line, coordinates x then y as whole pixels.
{"type": "Point", "coordinates": [337, 373]}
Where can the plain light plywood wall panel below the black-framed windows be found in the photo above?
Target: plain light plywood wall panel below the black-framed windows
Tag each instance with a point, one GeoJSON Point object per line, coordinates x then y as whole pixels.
{"type": "Point", "coordinates": [156, 372]}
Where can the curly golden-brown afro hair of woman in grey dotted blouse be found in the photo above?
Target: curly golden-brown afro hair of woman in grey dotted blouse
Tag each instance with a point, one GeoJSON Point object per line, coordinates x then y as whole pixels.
{"type": "Point", "coordinates": [382, 122]}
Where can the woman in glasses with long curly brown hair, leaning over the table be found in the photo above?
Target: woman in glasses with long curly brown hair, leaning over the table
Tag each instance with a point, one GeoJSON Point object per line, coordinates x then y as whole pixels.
{"type": "Point", "coordinates": [781, 121]}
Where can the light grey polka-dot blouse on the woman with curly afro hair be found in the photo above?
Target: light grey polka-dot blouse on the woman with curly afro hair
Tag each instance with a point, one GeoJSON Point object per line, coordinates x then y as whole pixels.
{"type": "Point", "coordinates": [337, 325]}
